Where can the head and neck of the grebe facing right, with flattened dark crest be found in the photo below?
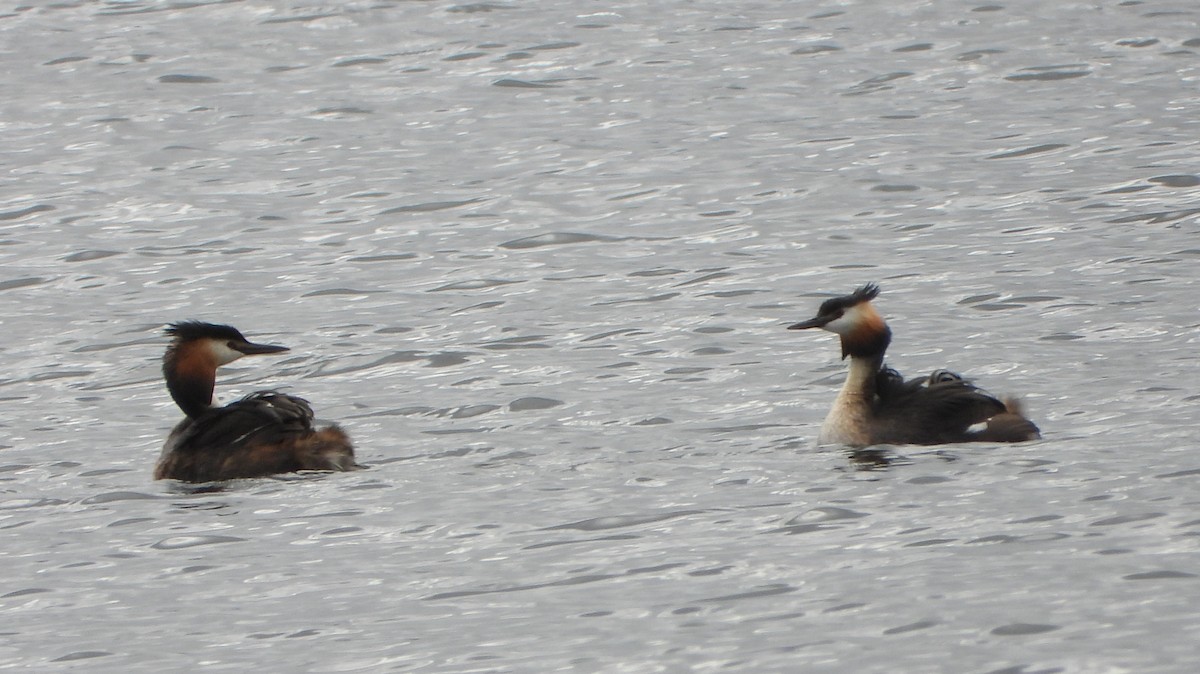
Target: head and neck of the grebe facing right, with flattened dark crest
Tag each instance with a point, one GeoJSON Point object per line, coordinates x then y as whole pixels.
{"type": "Point", "coordinates": [194, 357]}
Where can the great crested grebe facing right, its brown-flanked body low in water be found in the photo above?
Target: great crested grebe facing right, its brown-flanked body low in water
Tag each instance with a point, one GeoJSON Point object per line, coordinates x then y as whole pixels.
{"type": "Point", "coordinates": [261, 435]}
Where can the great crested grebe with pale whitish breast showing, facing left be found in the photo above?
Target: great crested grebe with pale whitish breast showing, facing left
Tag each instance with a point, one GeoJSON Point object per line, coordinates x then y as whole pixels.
{"type": "Point", "coordinates": [877, 406]}
